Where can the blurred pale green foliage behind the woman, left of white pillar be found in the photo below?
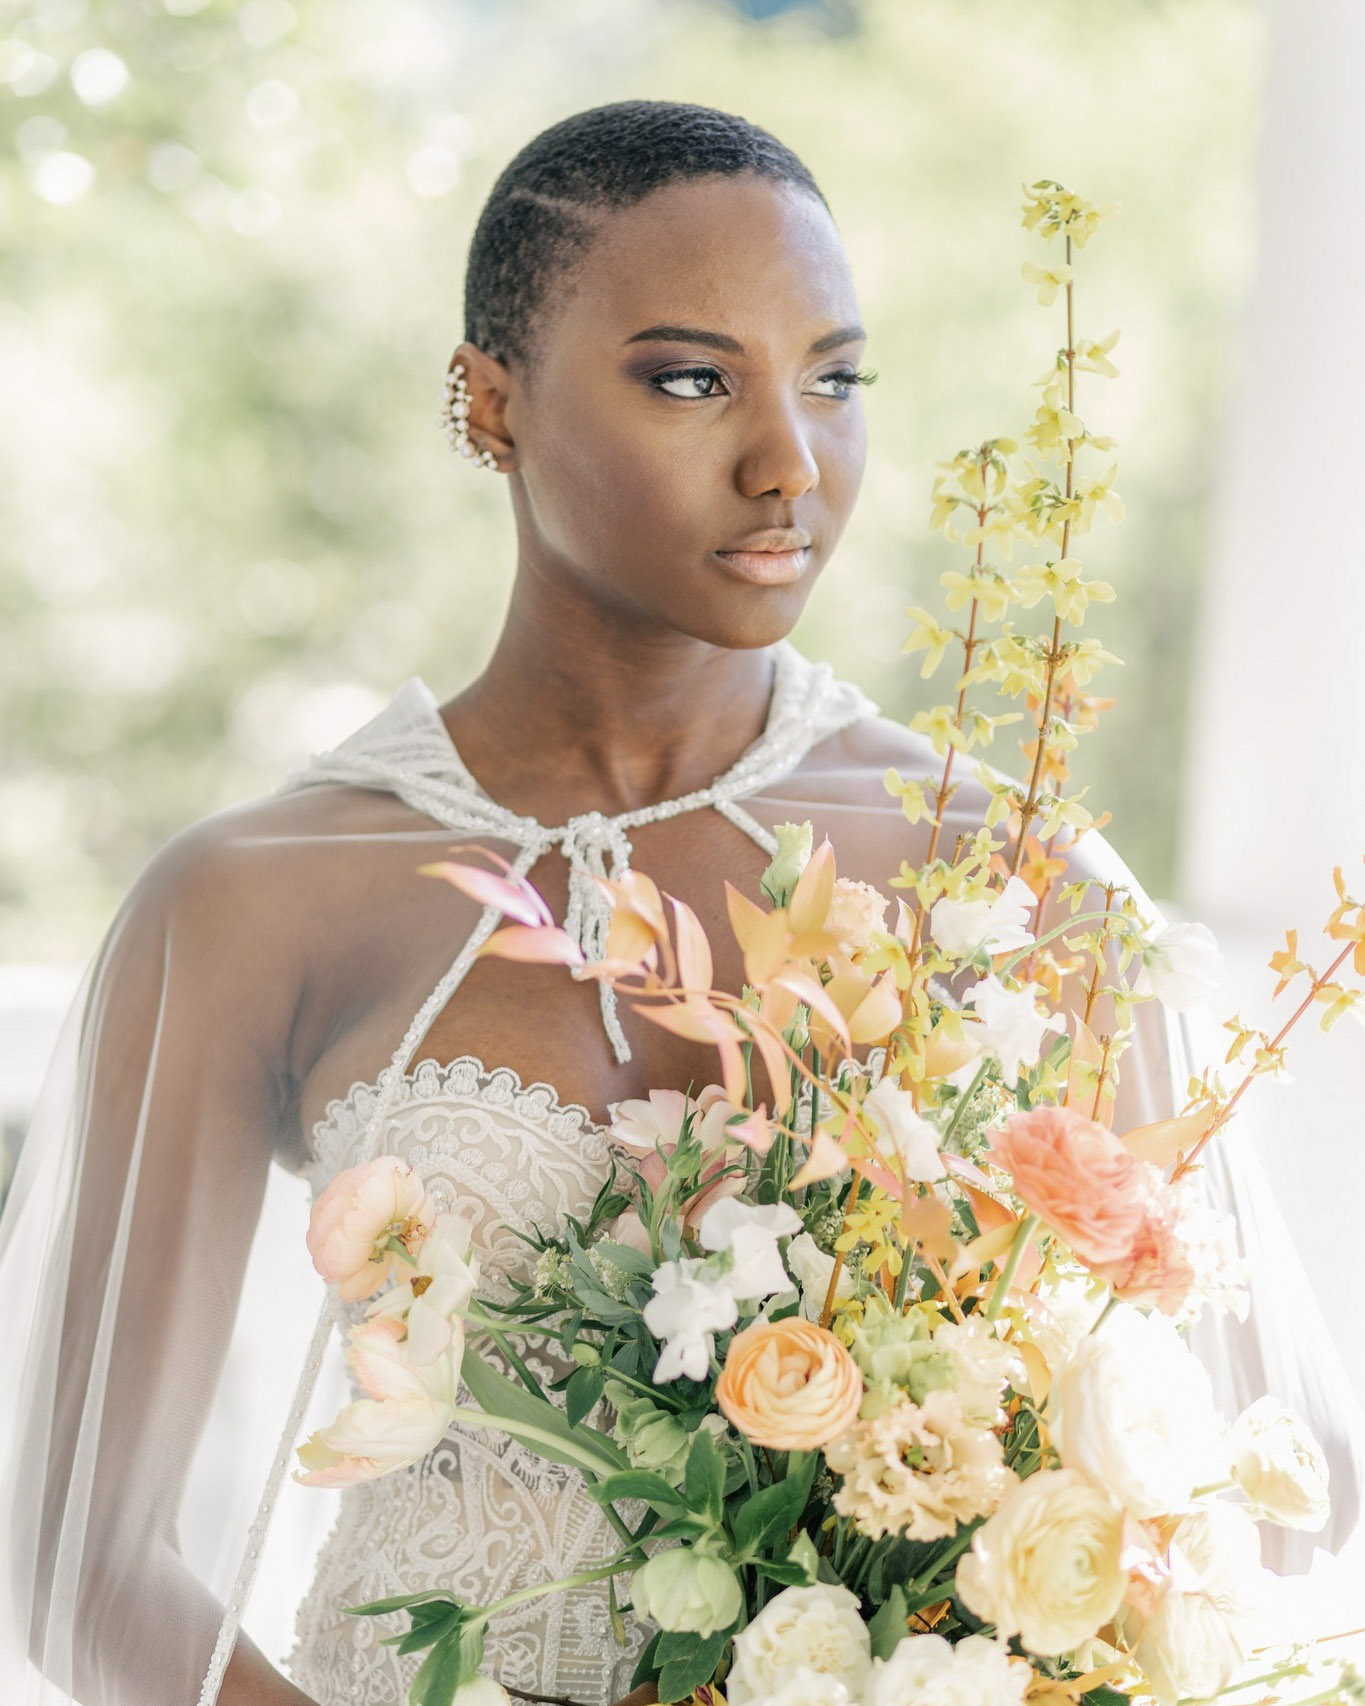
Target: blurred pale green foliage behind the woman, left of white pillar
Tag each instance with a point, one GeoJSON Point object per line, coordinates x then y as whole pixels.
{"type": "Point", "coordinates": [233, 240]}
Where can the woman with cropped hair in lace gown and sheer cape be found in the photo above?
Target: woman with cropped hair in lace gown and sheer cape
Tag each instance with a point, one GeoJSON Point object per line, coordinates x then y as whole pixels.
{"type": "Point", "coordinates": [661, 359]}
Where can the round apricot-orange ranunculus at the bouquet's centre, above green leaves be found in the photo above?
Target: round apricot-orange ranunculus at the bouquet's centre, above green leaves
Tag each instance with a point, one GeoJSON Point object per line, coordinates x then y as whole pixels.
{"type": "Point", "coordinates": [789, 1384]}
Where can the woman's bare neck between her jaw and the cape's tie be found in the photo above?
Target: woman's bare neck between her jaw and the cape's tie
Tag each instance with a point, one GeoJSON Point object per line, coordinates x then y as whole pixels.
{"type": "Point", "coordinates": [586, 707]}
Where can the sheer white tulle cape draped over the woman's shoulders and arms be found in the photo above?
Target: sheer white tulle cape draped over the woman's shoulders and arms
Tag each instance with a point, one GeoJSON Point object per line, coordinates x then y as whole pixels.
{"type": "Point", "coordinates": [165, 1338]}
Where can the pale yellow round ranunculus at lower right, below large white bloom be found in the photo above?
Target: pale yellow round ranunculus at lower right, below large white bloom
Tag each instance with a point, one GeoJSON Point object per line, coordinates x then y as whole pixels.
{"type": "Point", "coordinates": [1047, 1564]}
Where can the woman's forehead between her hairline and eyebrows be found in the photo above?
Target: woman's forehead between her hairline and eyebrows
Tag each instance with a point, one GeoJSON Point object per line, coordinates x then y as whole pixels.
{"type": "Point", "coordinates": [757, 258]}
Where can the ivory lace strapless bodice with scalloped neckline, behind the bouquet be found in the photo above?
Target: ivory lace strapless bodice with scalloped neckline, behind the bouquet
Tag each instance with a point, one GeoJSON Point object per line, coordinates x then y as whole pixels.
{"type": "Point", "coordinates": [480, 1516]}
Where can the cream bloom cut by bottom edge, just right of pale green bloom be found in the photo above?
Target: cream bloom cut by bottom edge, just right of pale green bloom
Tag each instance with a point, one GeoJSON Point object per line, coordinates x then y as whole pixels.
{"type": "Point", "coordinates": [818, 1628]}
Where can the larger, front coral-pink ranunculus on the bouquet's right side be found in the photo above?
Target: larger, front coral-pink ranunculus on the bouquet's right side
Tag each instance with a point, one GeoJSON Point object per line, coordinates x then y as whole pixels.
{"type": "Point", "coordinates": [1077, 1178]}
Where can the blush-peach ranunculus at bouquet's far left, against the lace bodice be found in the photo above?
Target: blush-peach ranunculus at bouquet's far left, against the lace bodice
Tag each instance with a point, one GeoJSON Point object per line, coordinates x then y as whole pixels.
{"type": "Point", "coordinates": [357, 1221]}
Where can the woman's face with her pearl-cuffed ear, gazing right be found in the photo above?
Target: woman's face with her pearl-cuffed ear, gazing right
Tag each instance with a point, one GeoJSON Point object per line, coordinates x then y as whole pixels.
{"type": "Point", "coordinates": [690, 400]}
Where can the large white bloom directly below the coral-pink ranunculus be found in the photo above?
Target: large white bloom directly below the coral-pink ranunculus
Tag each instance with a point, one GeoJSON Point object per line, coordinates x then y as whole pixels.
{"type": "Point", "coordinates": [1134, 1410]}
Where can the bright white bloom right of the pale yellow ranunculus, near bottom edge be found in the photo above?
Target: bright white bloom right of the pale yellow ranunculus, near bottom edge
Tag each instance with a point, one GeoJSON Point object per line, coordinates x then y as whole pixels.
{"type": "Point", "coordinates": [1209, 1615]}
